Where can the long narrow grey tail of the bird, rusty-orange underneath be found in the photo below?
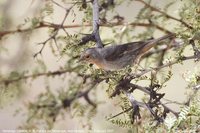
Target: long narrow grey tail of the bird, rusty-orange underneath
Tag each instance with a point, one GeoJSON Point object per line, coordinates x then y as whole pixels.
{"type": "Point", "coordinates": [153, 42]}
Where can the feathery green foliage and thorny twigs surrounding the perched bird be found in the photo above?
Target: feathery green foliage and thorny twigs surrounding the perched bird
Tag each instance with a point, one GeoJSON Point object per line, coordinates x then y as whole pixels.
{"type": "Point", "coordinates": [78, 97]}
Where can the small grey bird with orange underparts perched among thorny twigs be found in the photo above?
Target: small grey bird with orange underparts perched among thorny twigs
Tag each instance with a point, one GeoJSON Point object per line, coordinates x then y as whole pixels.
{"type": "Point", "coordinates": [117, 57]}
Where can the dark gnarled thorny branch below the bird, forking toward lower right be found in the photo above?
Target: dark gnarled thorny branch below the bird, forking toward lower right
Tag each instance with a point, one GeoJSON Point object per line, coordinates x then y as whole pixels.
{"type": "Point", "coordinates": [125, 85]}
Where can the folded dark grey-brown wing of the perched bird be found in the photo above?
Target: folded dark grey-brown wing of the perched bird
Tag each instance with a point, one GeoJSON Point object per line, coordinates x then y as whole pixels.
{"type": "Point", "coordinates": [114, 52]}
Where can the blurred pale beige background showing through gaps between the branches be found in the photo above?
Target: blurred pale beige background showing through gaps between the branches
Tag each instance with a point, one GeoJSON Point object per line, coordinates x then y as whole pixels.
{"type": "Point", "coordinates": [17, 50]}
